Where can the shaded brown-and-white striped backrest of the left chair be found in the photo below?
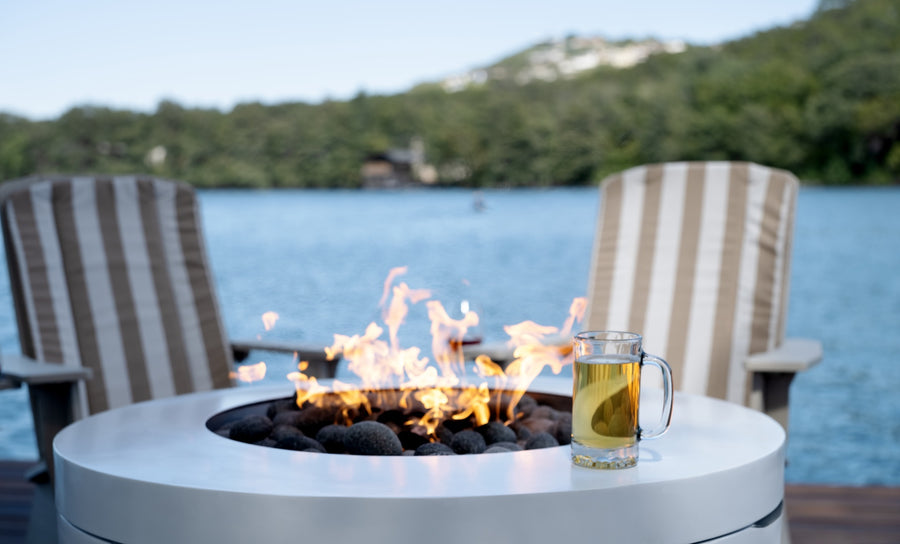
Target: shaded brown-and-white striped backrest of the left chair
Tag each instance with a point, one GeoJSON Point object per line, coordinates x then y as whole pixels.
{"type": "Point", "coordinates": [111, 273]}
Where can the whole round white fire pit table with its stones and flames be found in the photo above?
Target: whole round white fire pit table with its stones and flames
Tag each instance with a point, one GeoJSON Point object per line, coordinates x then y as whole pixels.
{"type": "Point", "coordinates": [182, 469]}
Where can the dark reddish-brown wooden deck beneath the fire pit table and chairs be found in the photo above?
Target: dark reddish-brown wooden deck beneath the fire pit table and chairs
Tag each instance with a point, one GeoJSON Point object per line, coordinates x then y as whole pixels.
{"type": "Point", "coordinates": [818, 514]}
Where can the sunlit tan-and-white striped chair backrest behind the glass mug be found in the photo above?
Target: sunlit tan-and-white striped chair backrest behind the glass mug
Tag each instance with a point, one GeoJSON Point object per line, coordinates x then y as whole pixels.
{"type": "Point", "coordinates": [695, 256]}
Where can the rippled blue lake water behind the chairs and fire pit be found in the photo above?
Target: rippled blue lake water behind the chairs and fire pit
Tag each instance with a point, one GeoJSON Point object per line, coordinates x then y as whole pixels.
{"type": "Point", "coordinates": [319, 259]}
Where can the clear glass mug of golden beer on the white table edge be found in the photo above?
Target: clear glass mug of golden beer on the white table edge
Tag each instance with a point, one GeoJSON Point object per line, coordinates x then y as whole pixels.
{"type": "Point", "coordinates": [606, 396]}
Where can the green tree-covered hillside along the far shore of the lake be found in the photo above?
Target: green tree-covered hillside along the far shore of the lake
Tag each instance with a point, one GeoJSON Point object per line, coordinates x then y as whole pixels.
{"type": "Point", "coordinates": [820, 98]}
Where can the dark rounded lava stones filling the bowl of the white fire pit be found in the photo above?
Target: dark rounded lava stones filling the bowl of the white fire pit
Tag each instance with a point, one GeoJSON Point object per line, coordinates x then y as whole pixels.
{"type": "Point", "coordinates": [388, 426]}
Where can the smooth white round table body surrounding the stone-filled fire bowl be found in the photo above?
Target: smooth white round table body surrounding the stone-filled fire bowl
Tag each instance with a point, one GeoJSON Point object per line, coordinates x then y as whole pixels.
{"type": "Point", "coordinates": [152, 472]}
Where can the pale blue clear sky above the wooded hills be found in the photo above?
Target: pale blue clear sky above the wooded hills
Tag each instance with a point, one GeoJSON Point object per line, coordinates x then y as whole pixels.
{"type": "Point", "coordinates": [57, 54]}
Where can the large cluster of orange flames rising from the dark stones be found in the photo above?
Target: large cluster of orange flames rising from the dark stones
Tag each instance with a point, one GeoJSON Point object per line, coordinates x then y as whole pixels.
{"type": "Point", "coordinates": [390, 375]}
